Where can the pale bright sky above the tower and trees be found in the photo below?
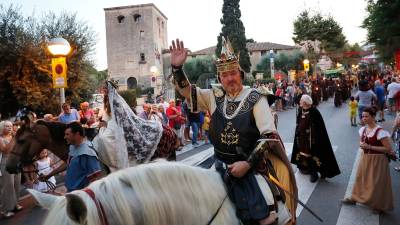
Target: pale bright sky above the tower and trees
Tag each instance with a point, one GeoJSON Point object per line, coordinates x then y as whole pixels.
{"type": "Point", "coordinates": [197, 22]}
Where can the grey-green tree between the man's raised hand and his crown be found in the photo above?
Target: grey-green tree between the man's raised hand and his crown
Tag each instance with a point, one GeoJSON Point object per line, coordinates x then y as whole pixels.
{"type": "Point", "coordinates": [195, 67]}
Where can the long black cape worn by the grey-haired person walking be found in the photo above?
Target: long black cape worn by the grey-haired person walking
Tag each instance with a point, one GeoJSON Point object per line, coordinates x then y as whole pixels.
{"type": "Point", "coordinates": [321, 148]}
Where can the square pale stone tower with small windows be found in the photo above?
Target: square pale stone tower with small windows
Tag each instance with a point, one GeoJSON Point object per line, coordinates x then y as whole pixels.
{"type": "Point", "coordinates": [136, 36]}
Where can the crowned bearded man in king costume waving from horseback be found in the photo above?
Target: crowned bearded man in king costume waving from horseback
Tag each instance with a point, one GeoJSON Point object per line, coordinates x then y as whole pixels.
{"type": "Point", "coordinates": [248, 150]}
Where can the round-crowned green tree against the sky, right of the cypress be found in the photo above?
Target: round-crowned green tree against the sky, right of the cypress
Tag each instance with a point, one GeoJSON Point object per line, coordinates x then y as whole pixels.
{"type": "Point", "coordinates": [316, 27]}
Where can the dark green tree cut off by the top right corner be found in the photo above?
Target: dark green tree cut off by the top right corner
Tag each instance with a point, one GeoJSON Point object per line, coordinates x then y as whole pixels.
{"type": "Point", "coordinates": [383, 26]}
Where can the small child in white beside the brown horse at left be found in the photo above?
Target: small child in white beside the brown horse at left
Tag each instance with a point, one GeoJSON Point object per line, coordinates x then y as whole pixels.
{"type": "Point", "coordinates": [44, 166]}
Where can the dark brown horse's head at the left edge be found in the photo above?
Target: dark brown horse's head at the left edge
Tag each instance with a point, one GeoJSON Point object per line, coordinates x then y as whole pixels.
{"type": "Point", "coordinates": [29, 140]}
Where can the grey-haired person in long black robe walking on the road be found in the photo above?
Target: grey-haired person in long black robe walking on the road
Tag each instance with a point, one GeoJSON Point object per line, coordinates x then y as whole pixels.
{"type": "Point", "coordinates": [312, 149]}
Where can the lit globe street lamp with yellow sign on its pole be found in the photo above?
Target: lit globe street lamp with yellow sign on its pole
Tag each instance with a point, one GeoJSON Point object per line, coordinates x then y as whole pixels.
{"type": "Point", "coordinates": [59, 48]}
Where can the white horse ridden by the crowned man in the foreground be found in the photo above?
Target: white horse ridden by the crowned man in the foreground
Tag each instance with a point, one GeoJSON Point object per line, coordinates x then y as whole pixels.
{"type": "Point", "coordinates": [161, 193]}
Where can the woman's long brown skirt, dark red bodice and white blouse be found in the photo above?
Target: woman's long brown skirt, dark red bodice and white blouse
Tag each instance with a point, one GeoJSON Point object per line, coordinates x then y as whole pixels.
{"type": "Point", "coordinates": [373, 186]}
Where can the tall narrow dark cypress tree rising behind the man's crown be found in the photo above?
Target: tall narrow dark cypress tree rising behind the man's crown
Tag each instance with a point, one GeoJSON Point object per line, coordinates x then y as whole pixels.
{"type": "Point", "coordinates": [232, 28]}
